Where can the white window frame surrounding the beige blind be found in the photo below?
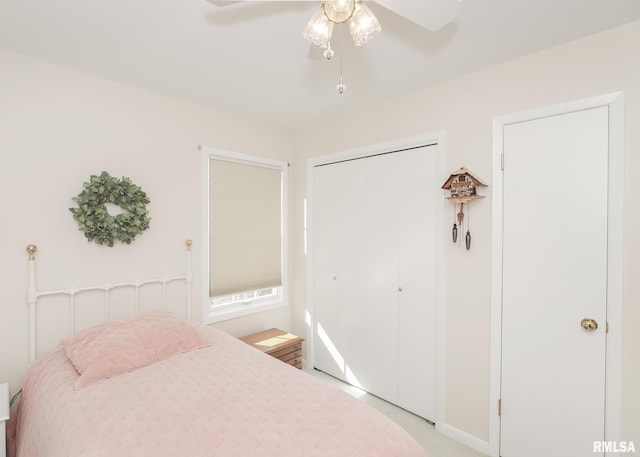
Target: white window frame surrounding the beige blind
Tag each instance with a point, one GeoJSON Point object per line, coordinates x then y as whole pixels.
{"type": "Point", "coordinates": [245, 308]}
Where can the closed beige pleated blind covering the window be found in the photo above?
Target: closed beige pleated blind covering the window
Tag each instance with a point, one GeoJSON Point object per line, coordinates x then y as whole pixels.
{"type": "Point", "coordinates": [245, 229]}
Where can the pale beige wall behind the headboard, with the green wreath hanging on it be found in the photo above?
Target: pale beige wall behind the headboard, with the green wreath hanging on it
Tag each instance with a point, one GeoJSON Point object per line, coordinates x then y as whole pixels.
{"type": "Point", "coordinates": [58, 127]}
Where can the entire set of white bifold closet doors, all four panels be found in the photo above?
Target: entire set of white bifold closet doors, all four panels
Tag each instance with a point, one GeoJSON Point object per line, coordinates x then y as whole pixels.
{"type": "Point", "coordinates": [375, 260]}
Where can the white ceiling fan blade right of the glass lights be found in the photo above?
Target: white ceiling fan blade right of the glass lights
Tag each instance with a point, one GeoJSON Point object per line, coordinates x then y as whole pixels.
{"type": "Point", "coordinates": [430, 14]}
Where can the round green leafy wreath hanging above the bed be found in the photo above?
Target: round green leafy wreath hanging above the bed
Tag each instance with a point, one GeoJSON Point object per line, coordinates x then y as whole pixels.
{"type": "Point", "coordinates": [94, 219]}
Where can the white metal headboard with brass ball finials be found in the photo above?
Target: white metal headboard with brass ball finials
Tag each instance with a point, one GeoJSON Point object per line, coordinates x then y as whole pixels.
{"type": "Point", "coordinates": [33, 294]}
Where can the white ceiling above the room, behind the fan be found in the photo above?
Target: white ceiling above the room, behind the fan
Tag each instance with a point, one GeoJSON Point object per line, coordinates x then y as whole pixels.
{"type": "Point", "coordinates": [250, 58]}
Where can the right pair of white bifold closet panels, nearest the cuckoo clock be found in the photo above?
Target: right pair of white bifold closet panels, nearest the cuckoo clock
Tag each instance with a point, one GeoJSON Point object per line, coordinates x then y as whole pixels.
{"type": "Point", "coordinates": [402, 212]}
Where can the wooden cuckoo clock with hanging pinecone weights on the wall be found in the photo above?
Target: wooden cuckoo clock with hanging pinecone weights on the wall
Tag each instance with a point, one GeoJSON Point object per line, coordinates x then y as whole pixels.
{"type": "Point", "coordinates": [462, 185]}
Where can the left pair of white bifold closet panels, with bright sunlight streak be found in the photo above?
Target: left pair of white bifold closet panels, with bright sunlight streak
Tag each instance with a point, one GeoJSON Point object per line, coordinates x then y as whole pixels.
{"type": "Point", "coordinates": [339, 269]}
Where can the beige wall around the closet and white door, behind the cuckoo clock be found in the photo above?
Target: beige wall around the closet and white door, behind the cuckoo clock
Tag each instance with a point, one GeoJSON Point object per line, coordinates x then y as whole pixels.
{"type": "Point", "coordinates": [464, 109]}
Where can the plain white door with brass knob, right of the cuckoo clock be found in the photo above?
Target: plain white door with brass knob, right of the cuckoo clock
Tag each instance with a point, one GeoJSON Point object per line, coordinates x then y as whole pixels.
{"type": "Point", "coordinates": [554, 276]}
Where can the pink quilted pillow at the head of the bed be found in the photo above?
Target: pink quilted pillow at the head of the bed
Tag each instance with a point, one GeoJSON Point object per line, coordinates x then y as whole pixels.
{"type": "Point", "coordinates": [116, 347]}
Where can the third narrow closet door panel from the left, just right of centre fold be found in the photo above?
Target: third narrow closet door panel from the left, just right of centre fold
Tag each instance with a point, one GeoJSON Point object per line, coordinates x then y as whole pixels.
{"type": "Point", "coordinates": [382, 277]}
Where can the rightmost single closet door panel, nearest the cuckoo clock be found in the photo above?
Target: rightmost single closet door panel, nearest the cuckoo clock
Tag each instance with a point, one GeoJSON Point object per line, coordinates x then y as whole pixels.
{"type": "Point", "coordinates": [417, 215]}
